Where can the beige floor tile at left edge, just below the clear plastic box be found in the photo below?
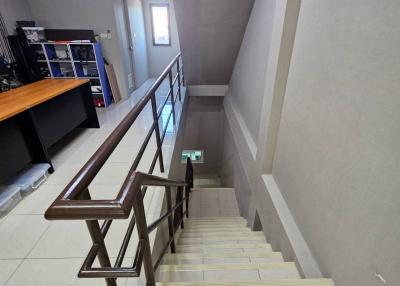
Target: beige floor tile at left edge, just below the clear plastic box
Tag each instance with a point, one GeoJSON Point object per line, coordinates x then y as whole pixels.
{"type": "Point", "coordinates": [19, 234]}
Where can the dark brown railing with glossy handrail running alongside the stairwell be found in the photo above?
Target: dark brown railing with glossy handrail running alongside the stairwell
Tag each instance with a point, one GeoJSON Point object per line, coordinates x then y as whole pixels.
{"type": "Point", "coordinates": [75, 202]}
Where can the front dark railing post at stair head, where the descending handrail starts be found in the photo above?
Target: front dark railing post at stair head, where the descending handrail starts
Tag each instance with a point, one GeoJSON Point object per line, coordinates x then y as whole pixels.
{"type": "Point", "coordinates": [141, 223]}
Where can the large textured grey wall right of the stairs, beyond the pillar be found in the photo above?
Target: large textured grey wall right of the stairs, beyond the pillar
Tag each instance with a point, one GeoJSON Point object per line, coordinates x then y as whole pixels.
{"type": "Point", "coordinates": [338, 161]}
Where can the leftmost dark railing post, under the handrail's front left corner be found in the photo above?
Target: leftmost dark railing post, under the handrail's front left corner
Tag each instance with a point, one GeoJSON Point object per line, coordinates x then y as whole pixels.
{"type": "Point", "coordinates": [98, 239]}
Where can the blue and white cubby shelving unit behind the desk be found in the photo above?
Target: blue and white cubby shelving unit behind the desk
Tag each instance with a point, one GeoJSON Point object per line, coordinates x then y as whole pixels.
{"type": "Point", "coordinates": [75, 60]}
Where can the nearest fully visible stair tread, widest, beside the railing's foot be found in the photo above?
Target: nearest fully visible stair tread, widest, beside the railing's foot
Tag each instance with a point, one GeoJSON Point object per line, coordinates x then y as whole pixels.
{"type": "Point", "coordinates": [226, 272]}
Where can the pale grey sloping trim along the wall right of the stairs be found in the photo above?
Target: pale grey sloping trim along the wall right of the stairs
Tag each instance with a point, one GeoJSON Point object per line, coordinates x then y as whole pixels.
{"type": "Point", "coordinates": [274, 213]}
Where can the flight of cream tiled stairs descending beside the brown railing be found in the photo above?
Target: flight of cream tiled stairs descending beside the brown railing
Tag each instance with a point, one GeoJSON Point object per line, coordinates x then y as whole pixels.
{"type": "Point", "coordinates": [224, 251]}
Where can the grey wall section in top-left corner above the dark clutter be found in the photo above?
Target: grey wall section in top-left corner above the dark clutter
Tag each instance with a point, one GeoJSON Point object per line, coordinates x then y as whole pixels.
{"type": "Point", "coordinates": [14, 10]}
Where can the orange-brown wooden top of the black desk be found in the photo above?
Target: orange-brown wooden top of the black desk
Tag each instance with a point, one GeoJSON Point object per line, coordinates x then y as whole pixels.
{"type": "Point", "coordinates": [20, 99]}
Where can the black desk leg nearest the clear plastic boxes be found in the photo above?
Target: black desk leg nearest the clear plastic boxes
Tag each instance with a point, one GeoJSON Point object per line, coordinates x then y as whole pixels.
{"type": "Point", "coordinates": [26, 121]}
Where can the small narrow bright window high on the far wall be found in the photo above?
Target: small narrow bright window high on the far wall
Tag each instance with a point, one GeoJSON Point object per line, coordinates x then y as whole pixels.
{"type": "Point", "coordinates": [160, 24]}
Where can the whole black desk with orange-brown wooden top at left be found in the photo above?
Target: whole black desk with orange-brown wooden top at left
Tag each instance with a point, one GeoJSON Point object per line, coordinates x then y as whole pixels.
{"type": "Point", "coordinates": [34, 117]}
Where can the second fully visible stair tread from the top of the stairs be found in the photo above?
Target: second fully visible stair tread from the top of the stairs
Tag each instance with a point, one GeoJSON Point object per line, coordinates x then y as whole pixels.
{"type": "Point", "coordinates": [201, 258]}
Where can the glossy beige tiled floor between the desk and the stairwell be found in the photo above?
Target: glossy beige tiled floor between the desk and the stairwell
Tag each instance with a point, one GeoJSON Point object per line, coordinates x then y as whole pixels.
{"type": "Point", "coordinates": [35, 251]}
